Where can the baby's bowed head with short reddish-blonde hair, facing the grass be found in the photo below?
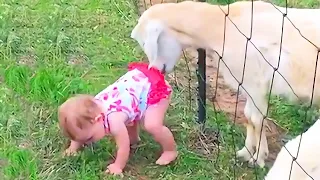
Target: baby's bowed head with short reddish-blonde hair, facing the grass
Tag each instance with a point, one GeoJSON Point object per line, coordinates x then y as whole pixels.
{"type": "Point", "coordinates": [80, 119]}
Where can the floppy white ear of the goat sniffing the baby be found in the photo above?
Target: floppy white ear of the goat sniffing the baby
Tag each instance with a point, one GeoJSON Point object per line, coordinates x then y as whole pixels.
{"type": "Point", "coordinates": [153, 31]}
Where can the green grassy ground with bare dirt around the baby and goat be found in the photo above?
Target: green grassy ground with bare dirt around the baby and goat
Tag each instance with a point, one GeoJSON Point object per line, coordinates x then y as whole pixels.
{"type": "Point", "coordinates": [52, 49]}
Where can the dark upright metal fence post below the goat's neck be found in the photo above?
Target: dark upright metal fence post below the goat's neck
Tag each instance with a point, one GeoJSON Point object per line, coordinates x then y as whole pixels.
{"type": "Point", "coordinates": [201, 74]}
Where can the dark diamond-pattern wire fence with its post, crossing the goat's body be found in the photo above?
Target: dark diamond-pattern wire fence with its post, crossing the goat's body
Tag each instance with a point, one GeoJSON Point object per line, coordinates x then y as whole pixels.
{"type": "Point", "coordinates": [201, 76]}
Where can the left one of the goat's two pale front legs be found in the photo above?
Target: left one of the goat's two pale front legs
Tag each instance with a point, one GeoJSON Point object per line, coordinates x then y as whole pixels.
{"type": "Point", "coordinates": [247, 151]}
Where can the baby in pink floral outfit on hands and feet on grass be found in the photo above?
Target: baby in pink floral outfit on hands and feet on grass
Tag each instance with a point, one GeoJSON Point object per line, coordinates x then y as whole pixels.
{"type": "Point", "coordinates": [140, 96]}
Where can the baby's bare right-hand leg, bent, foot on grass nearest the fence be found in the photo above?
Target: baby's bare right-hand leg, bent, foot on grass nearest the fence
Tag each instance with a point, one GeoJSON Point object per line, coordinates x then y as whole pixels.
{"type": "Point", "coordinates": [153, 123]}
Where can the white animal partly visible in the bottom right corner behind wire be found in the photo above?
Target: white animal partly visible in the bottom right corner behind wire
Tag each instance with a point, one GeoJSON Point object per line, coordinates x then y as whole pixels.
{"type": "Point", "coordinates": [307, 164]}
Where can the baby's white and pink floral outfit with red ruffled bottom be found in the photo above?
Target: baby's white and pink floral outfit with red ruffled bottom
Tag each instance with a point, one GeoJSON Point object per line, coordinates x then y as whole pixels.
{"type": "Point", "coordinates": [134, 92]}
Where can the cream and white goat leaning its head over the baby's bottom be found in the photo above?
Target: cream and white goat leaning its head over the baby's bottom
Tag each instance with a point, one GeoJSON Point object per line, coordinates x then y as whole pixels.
{"type": "Point", "coordinates": [165, 29]}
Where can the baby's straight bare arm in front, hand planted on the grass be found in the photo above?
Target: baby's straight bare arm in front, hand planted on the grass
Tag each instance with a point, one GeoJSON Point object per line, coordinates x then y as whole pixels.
{"type": "Point", "coordinates": [119, 130]}
